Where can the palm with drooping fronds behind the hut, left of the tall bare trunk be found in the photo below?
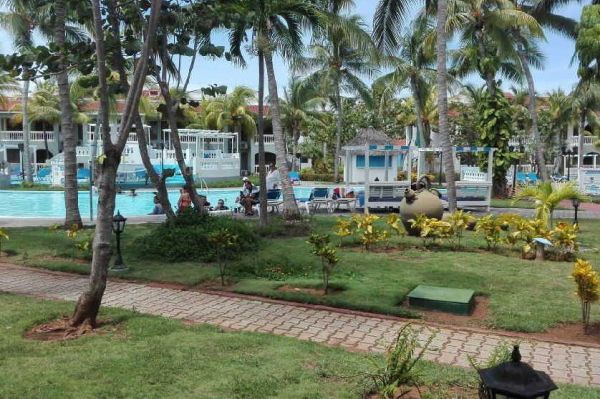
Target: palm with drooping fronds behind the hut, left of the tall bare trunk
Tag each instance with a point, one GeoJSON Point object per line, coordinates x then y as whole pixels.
{"type": "Point", "coordinates": [413, 68]}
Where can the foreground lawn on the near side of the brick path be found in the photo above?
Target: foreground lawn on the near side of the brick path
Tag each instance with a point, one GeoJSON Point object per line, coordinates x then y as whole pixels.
{"type": "Point", "coordinates": [153, 357]}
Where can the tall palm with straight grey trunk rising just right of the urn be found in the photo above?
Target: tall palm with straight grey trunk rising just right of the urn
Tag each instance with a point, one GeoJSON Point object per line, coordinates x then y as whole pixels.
{"type": "Point", "coordinates": [388, 18]}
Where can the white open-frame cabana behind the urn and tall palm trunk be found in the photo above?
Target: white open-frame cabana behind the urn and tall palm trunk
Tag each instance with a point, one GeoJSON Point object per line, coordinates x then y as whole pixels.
{"type": "Point", "coordinates": [474, 189]}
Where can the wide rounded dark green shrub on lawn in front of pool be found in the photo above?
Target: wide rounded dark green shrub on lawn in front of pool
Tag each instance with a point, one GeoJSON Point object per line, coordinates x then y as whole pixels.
{"type": "Point", "coordinates": [186, 238]}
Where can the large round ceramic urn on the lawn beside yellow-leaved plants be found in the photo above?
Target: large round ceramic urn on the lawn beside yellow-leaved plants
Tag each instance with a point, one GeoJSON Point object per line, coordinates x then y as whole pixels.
{"type": "Point", "coordinates": [423, 201]}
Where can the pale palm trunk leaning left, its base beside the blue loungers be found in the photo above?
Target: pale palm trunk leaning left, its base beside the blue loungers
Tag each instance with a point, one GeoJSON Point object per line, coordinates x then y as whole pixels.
{"type": "Point", "coordinates": [290, 207]}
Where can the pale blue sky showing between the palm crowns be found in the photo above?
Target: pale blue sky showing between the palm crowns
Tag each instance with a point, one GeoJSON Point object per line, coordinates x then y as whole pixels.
{"type": "Point", "coordinates": [558, 73]}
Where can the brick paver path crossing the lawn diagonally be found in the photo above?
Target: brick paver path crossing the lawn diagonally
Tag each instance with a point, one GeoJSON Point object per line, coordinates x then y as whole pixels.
{"type": "Point", "coordinates": [565, 363]}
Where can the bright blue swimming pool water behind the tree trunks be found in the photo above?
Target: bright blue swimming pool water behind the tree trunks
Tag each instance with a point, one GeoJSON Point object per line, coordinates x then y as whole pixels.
{"type": "Point", "coordinates": [50, 204]}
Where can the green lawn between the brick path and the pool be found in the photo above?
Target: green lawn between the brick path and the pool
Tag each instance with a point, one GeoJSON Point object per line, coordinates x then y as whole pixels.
{"type": "Point", "coordinates": [523, 295]}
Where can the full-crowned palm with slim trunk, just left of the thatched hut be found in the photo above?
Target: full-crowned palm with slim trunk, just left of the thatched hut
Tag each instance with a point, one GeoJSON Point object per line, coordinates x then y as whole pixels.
{"type": "Point", "coordinates": [341, 54]}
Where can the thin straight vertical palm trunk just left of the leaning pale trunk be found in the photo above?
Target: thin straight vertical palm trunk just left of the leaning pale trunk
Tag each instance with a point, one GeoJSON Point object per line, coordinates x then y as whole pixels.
{"type": "Point", "coordinates": [262, 172]}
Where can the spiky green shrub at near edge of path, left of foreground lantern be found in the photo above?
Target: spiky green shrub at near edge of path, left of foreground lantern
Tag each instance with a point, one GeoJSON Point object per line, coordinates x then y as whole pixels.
{"type": "Point", "coordinates": [401, 357]}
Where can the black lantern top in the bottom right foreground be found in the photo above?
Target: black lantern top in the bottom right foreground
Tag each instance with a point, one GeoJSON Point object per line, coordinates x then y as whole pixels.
{"type": "Point", "coordinates": [515, 380]}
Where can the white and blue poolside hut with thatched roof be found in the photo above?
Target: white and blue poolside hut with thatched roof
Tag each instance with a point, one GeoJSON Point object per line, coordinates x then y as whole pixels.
{"type": "Point", "coordinates": [373, 161]}
